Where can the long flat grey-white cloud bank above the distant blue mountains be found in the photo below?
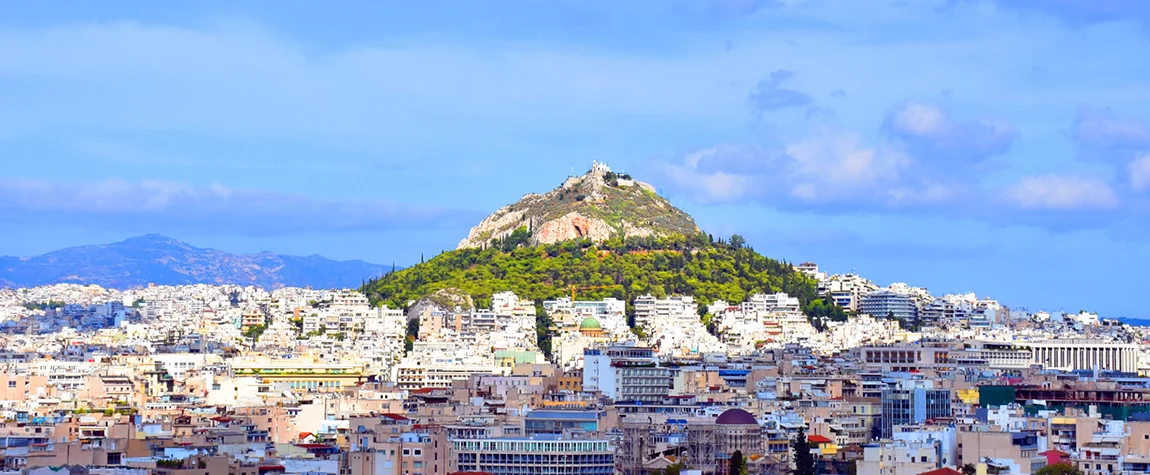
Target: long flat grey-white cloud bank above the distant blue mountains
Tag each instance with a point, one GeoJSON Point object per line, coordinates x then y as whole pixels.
{"type": "Point", "coordinates": [214, 209]}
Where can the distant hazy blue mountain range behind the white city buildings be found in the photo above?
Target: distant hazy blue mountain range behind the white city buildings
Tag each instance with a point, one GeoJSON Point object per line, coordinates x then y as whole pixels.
{"type": "Point", "coordinates": [160, 261]}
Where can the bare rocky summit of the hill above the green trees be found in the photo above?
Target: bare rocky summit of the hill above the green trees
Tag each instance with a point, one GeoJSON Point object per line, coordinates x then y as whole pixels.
{"type": "Point", "coordinates": [597, 206]}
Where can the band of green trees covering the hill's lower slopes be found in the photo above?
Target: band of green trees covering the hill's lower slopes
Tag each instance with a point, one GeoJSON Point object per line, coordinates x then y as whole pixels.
{"type": "Point", "coordinates": [691, 266]}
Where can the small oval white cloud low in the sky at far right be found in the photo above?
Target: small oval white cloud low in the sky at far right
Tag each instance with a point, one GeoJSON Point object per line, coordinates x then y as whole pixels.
{"type": "Point", "coordinates": [1062, 193]}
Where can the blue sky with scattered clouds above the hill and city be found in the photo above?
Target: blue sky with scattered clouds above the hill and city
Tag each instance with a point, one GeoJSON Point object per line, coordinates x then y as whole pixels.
{"type": "Point", "coordinates": [998, 147]}
